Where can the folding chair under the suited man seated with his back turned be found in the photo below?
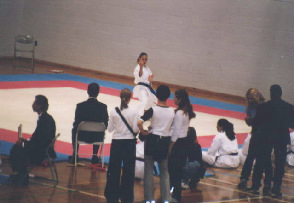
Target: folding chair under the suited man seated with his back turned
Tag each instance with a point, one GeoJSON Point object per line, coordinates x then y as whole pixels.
{"type": "Point", "coordinates": [89, 132]}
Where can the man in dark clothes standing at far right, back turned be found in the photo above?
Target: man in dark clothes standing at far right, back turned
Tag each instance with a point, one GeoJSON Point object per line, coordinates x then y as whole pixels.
{"type": "Point", "coordinates": [274, 118]}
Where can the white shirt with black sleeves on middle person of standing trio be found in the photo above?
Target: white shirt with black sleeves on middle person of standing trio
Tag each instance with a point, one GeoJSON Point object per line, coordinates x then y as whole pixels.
{"type": "Point", "coordinates": [161, 120]}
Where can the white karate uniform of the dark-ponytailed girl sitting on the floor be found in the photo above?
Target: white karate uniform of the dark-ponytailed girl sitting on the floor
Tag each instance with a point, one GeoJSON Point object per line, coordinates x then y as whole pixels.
{"type": "Point", "coordinates": [222, 147]}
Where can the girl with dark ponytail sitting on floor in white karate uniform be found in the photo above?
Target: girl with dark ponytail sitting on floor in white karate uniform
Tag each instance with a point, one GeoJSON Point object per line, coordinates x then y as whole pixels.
{"type": "Point", "coordinates": [223, 151]}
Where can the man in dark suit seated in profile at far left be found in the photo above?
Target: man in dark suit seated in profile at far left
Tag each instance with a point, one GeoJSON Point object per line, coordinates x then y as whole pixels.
{"type": "Point", "coordinates": [33, 150]}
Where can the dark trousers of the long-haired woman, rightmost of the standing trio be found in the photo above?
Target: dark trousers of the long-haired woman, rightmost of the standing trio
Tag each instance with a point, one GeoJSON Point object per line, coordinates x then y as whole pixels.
{"type": "Point", "coordinates": [176, 163]}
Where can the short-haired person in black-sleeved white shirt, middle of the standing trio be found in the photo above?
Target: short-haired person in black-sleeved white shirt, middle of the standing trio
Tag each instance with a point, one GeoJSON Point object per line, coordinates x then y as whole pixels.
{"type": "Point", "coordinates": [157, 144]}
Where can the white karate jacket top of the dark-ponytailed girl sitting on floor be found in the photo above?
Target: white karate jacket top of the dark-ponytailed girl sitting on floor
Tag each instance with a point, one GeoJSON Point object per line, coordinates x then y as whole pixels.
{"type": "Point", "coordinates": [223, 145]}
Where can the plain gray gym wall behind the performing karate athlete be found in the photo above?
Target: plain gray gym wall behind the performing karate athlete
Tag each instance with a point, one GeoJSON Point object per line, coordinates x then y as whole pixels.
{"type": "Point", "coordinates": [223, 46]}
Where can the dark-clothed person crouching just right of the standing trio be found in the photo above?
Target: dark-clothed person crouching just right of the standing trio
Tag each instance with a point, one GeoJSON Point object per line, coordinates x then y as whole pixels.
{"type": "Point", "coordinates": [193, 169]}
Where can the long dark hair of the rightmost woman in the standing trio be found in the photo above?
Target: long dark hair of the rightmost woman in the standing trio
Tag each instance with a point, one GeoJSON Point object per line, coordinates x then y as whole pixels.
{"type": "Point", "coordinates": [185, 104]}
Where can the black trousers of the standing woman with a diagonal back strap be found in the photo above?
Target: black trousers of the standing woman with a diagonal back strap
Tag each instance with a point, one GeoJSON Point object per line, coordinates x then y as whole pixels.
{"type": "Point", "coordinates": [123, 152]}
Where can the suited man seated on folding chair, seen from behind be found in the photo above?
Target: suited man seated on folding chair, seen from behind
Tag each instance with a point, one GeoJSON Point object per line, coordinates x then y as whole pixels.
{"type": "Point", "coordinates": [90, 110]}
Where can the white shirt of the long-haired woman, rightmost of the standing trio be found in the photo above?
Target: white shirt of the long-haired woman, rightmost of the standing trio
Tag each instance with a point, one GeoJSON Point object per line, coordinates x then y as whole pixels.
{"type": "Point", "coordinates": [180, 125]}
